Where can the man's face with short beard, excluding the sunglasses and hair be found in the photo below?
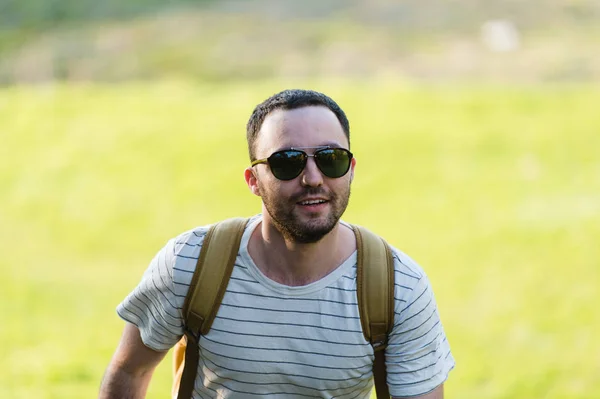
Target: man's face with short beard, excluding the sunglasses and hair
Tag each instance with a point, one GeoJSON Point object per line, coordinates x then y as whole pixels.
{"type": "Point", "coordinates": [308, 207]}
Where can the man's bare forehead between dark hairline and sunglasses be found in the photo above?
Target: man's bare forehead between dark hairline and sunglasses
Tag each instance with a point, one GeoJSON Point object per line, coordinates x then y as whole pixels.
{"type": "Point", "coordinates": [310, 126]}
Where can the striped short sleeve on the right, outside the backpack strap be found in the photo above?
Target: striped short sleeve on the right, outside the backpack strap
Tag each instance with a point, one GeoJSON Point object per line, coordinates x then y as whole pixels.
{"type": "Point", "coordinates": [418, 357]}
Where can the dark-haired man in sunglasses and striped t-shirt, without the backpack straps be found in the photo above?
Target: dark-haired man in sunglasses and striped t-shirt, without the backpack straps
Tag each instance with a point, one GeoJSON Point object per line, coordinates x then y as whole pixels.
{"type": "Point", "coordinates": [288, 325]}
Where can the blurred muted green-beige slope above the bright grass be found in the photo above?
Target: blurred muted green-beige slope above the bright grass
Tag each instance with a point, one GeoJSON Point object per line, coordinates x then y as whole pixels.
{"type": "Point", "coordinates": [430, 40]}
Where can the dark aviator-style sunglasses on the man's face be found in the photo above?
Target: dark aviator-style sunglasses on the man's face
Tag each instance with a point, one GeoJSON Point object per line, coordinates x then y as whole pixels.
{"type": "Point", "coordinates": [288, 164]}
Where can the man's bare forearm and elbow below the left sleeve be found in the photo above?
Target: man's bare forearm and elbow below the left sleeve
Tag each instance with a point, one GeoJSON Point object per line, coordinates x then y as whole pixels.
{"type": "Point", "coordinates": [131, 367]}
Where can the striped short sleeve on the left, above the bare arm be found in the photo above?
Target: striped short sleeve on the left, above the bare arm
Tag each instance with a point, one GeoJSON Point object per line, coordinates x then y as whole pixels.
{"type": "Point", "coordinates": [153, 306]}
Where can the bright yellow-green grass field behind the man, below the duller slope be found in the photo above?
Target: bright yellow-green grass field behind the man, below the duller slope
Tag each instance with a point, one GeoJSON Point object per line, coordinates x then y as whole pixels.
{"type": "Point", "coordinates": [494, 190]}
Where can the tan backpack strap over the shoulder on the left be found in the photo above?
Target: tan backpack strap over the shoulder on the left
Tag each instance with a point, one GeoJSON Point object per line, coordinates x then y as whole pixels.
{"type": "Point", "coordinates": [214, 267]}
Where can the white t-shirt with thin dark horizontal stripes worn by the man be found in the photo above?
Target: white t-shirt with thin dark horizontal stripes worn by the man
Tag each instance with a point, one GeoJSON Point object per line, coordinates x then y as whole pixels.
{"type": "Point", "coordinates": [276, 341]}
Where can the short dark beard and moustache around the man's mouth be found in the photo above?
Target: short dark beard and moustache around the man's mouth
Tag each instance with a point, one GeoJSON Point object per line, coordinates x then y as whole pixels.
{"type": "Point", "coordinates": [309, 231]}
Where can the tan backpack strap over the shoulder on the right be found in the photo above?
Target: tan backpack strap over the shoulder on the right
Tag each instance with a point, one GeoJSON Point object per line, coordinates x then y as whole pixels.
{"type": "Point", "coordinates": [375, 291]}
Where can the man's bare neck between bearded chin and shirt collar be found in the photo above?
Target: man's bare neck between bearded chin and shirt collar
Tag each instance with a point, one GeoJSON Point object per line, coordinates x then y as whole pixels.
{"type": "Point", "coordinates": [295, 264]}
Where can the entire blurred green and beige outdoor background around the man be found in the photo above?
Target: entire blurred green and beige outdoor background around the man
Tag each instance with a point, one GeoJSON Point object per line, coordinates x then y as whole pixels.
{"type": "Point", "coordinates": [475, 126]}
